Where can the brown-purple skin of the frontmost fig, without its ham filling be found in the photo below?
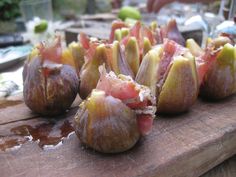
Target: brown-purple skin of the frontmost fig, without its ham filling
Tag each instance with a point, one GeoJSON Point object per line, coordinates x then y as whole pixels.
{"type": "Point", "coordinates": [106, 124]}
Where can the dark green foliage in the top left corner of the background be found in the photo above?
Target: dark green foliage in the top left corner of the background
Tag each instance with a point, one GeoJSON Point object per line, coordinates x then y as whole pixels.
{"type": "Point", "coordinates": [9, 9]}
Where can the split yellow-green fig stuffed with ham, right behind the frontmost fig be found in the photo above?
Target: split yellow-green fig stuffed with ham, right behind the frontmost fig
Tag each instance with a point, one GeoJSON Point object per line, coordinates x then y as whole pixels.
{"type": "Point", "coordinates": [170, 72]}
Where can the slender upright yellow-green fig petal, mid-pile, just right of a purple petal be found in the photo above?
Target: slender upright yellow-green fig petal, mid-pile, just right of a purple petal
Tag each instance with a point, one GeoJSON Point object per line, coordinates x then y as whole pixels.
{"type": "Point", "coordinates": [132, 54]}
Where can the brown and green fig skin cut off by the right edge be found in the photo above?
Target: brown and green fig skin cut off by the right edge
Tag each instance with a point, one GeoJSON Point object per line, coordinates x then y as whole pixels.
{"type": "Point", "coordinates": [220, 80]}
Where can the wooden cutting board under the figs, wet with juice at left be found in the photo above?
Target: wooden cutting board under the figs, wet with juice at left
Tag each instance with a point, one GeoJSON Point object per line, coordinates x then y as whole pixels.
{"type": "Point", "coordinates": [184, 145]}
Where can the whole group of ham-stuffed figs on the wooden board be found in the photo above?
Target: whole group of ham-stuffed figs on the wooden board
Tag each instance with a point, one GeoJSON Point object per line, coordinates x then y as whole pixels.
{"type": "Point", "coordinates": [125, 81]}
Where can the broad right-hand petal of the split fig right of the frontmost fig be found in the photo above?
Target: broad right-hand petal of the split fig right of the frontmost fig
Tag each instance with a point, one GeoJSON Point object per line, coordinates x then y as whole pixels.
{"type": "Point", "coordinates": [180, 88]}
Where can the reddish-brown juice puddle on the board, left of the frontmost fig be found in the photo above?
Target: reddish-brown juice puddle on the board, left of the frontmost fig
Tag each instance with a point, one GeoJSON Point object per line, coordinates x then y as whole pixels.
{"type": "Point", "coordinates": [44, 134]}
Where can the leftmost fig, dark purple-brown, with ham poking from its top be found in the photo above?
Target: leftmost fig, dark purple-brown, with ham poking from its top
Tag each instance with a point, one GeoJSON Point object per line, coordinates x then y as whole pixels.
{"type": "Point", "coordinates": [50, 85]}
